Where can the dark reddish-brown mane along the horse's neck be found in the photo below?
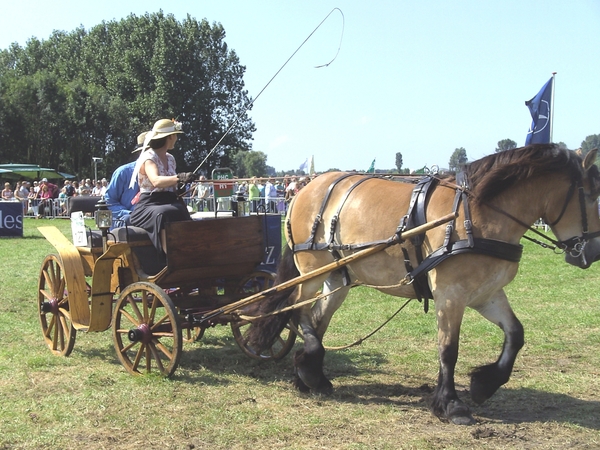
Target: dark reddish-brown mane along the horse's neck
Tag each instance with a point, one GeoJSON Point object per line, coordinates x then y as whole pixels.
{"type": "Point", "coordinates": [493, 174]}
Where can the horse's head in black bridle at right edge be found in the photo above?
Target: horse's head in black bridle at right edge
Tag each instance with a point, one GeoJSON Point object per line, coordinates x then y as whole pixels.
{"type": "Point", "coordinates": [578, 231]}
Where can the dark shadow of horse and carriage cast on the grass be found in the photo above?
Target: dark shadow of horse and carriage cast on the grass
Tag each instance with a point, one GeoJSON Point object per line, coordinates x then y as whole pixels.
{"type": "Point", "coordinates": [213, 360]}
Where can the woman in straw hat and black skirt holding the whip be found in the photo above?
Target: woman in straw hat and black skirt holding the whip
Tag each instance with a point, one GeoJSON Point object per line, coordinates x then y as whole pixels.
{"type": "Point", "coordinates": [155, 173]}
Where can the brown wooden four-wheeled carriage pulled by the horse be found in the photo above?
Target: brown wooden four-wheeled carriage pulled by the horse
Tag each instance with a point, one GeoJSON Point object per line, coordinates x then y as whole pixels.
{"type": "Point", "coordinates": [153, 306]}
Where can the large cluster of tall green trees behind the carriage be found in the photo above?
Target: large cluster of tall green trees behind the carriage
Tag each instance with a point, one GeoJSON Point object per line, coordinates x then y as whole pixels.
{"type": "Point", "coordinates": [84, 94]}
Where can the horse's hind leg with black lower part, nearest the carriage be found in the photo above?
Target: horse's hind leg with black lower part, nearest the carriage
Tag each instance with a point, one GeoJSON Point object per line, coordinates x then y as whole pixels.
{"type": "Point", "coordinates": [314, 322]}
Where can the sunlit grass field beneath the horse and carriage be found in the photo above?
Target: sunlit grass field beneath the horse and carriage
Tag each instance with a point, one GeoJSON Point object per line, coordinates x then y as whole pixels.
{"type": "Point", "coordinates": [220, 399]}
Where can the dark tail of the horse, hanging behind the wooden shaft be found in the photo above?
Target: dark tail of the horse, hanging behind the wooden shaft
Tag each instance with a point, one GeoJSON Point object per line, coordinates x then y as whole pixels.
{"type": "Point", "coordinates": [263, 332]}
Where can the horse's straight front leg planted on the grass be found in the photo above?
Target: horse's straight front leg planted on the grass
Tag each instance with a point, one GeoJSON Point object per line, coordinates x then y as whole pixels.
{"type": "Point", "coordinates": [445, 403]}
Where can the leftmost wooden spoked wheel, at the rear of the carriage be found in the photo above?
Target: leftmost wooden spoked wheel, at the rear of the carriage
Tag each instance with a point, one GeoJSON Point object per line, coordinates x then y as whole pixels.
{"type": "Point", "coordinates": [53, 307]}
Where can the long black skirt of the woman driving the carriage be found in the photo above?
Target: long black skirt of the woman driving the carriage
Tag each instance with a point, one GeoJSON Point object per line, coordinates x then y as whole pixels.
{"type": "Point", "coordinates": [154, 210]}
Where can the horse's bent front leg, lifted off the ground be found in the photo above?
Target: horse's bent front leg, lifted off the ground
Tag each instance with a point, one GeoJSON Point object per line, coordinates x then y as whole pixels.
{"type": "Point", "coordinates": [486, 380]}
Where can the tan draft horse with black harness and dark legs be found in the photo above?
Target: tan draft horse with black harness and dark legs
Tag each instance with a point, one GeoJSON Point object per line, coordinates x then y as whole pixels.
{"type": "Point", "coordinates": [464, 264]}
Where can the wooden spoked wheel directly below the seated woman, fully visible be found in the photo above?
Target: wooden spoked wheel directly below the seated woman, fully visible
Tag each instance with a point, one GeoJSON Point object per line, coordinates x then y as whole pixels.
{"type": "Point", "coordinates": [146, 331]}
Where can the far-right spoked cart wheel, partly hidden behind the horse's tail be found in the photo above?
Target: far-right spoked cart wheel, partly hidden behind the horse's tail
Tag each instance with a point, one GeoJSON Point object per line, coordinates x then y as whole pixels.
{"type": "Point", "coordinates": [259, 281]}
